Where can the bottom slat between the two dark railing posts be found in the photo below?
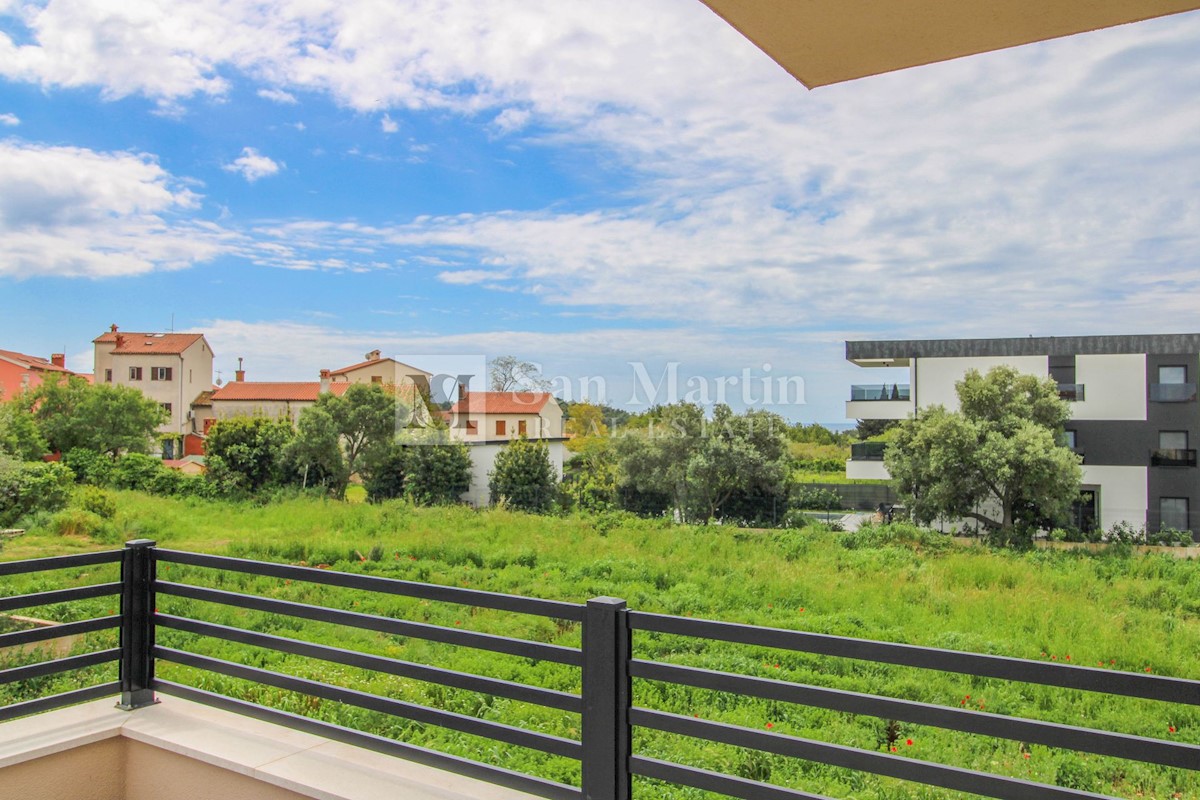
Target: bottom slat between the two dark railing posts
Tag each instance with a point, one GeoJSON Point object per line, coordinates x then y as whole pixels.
{"type": "Point", "coordinates": [497, 775]}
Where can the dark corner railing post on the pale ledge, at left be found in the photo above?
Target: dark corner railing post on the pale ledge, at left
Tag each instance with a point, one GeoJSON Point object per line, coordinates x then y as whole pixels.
{"type": "Point", "coordinates": [137, 625]}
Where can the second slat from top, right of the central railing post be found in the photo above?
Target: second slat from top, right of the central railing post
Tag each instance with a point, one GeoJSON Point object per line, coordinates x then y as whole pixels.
{"type": "Point", "coordinates": [1053, 735]}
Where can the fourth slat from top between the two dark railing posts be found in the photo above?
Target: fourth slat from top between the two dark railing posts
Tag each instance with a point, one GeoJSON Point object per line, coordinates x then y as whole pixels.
{"type": "Point", "coordinates": [460, 723]}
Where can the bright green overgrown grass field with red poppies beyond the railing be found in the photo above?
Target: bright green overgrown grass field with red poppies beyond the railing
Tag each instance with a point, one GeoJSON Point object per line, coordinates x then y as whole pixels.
{"type": "Point", "coordinates": [1127, 613]}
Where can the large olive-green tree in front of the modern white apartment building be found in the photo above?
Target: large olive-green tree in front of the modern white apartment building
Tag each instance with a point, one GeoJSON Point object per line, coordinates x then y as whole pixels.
{"type": "Point", "coordinates": [999, 461]}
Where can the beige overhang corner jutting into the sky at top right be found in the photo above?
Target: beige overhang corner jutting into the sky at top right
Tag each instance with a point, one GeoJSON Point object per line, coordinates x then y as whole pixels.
{"type": "Point", "coordinates": [827, 41]}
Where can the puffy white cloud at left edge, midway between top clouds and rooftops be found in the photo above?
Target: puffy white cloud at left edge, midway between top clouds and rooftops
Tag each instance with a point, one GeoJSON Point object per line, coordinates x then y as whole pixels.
{"type": "Point", "coordinates": [69, 212]}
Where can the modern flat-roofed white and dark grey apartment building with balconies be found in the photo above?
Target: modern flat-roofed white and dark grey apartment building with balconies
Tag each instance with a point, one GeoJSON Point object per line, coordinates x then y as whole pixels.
{"type": "Point", "coordinates": [1135, 419]}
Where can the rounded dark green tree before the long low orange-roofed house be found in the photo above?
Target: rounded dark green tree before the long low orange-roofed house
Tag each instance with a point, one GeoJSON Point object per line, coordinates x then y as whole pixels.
{"type": "Point", "coordinates": [247, 453]}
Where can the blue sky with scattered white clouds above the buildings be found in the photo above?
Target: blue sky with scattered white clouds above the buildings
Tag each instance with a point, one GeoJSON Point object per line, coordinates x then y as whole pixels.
{"type": "Point", "coordinates": [628, 194]}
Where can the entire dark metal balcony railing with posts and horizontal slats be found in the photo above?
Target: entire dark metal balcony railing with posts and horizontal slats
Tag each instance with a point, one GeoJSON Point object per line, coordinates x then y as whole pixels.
{"type": "Point", "coordinates": [609, 663]}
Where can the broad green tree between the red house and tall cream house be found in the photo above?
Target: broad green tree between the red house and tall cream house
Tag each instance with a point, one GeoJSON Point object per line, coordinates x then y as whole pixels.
{"type": "Point", "coordinates": [105, 419]}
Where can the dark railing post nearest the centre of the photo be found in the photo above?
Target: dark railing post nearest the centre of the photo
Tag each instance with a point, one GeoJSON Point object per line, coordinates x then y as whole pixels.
{"type": "Point", "coordinates": [607, 701]}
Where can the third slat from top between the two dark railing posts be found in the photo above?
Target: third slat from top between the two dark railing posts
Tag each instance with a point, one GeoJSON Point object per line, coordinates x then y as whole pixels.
{"type": "Point", "coordinates": [524, 693]}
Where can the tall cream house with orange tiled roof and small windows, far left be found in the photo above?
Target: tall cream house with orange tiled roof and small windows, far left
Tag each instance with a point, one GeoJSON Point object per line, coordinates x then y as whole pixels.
{"type": "Point", "coordinates": [170, 369]}
